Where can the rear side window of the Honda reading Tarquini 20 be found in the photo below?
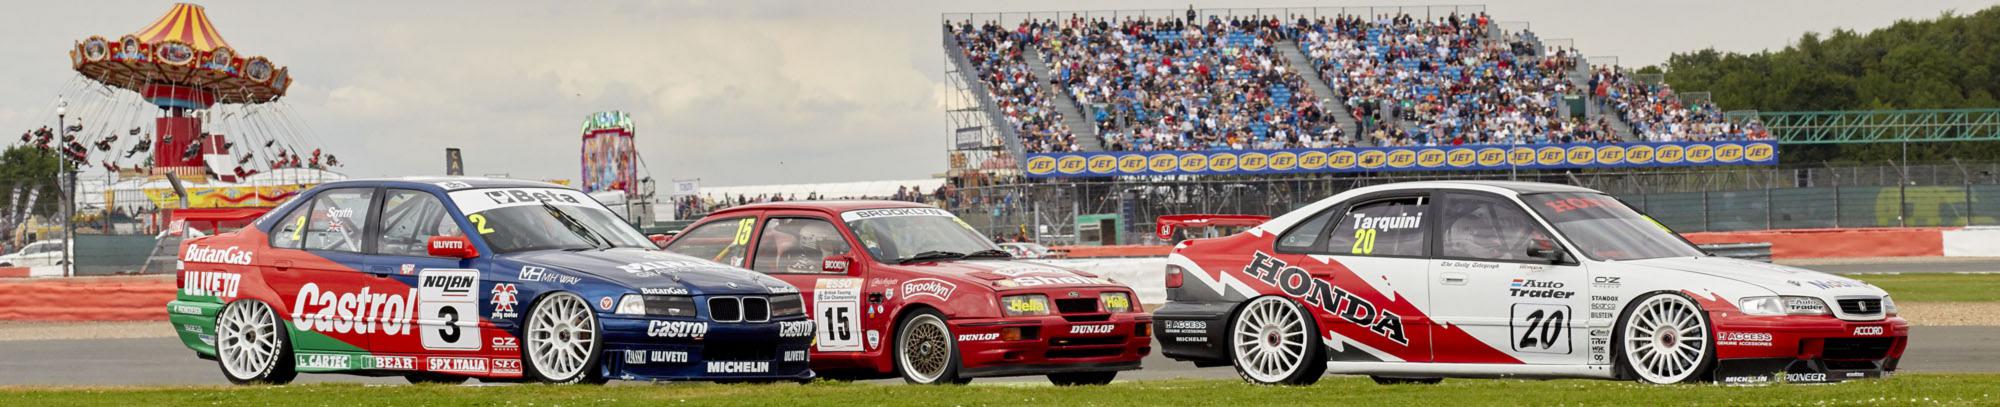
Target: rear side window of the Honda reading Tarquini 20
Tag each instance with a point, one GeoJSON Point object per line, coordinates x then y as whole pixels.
{"type": "Point", "coordinates": [1393, 226]}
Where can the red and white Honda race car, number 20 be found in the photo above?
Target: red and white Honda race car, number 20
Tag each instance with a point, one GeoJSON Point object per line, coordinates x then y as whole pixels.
{"type": "Point", "coordinates": [1427, 280]}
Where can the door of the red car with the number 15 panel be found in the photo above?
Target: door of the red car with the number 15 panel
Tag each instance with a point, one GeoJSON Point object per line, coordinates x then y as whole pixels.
{"type": "Point", "coordinates": [797, 246]}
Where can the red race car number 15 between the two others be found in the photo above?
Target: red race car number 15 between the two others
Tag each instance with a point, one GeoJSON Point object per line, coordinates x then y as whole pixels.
{"type": "Point", "coordinates": [911, 290]}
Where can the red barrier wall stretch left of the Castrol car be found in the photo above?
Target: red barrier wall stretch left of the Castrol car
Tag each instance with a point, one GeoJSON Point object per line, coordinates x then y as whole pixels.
{"type": "Point", "coordinates": [87, 298]}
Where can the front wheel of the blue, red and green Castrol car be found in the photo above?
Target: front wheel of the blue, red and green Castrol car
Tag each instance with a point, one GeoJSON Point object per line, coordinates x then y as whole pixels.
{"type": "Point", "coordinates": [563, 342]}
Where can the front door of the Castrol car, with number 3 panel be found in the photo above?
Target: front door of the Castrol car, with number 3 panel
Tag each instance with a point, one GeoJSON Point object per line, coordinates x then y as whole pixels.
{"type": "Point", "coordinates": [447, 320]}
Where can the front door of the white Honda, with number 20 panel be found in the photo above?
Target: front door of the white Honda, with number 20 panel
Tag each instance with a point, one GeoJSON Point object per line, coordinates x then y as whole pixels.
{"type": "Point", "coordinates": [1517, 306]}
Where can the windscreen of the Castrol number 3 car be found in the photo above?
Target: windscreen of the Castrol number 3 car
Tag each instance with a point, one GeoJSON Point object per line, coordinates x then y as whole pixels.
{"type": "Point", "coordinates": [545, 218]}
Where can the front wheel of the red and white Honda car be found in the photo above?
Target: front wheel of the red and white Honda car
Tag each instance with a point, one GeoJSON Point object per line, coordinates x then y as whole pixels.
{"type": "Point", "coordinates": [1663, 340]}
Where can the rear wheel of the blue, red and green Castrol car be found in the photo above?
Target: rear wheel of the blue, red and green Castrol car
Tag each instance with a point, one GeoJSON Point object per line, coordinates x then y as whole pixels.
{"type": "Point", "coordinates": [253, 346]}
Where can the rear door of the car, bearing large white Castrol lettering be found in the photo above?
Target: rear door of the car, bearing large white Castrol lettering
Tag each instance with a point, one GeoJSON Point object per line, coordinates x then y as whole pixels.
{"type": "Point", "coordinates": [315, 264]}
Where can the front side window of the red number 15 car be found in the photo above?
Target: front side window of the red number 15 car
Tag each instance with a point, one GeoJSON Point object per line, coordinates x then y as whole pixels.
{"type": "Point", "coordinates": [797, 246]}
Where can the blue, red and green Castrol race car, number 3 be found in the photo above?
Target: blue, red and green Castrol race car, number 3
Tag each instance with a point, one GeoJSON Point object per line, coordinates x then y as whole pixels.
{"type": "Point", "coordinates": [449, 278]}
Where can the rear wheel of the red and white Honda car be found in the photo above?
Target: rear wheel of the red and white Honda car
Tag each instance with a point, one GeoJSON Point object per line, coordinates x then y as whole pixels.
{"type": "Point", "coordinates": [1273, 344]}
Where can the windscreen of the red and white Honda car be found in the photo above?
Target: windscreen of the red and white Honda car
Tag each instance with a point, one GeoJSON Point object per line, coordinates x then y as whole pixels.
{"type": "Point", "coordinates": [1605, 228]}
